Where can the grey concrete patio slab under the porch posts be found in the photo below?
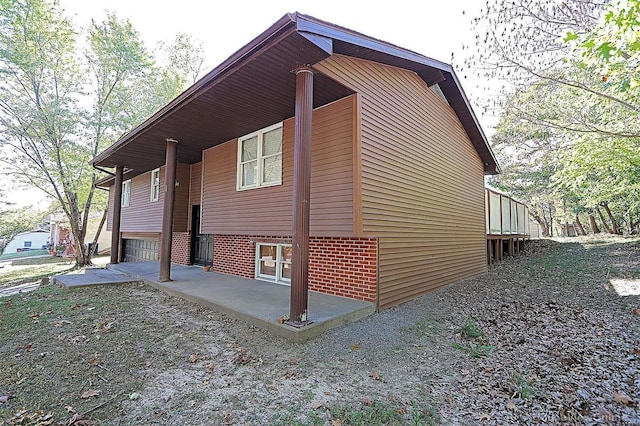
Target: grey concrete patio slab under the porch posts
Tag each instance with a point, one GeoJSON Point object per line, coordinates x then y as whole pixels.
{"type": "Point", "coordinates": [258, 302]}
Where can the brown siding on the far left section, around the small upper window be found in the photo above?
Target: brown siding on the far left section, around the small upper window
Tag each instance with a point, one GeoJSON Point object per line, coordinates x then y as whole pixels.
{"type": "Point", "coordinates": [143, 215]}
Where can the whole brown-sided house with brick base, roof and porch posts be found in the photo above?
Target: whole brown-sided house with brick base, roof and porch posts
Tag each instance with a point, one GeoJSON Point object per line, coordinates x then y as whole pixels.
{"type": "Point", "coordinates": [315, 157]}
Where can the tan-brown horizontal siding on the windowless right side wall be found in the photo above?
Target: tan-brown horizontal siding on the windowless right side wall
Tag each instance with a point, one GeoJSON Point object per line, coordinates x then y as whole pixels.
{"type": "Point", "coordinates": [422, 181]}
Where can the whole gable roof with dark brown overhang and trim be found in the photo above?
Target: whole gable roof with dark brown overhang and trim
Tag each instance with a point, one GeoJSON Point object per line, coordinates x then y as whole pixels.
{"type": "Point", "coordinates": [255, 87]}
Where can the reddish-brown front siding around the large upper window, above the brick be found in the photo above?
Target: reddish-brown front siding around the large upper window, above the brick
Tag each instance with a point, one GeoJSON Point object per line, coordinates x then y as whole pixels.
{"type": "Point", "coordinates": [268, 211]}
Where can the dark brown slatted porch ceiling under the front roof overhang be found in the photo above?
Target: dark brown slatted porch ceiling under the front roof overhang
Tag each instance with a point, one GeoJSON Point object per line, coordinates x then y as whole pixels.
{"type": "Point", "coordinates": [259, 92]}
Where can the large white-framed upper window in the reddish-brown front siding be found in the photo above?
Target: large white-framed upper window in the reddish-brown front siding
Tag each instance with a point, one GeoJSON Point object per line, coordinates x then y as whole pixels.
{"type": "Point", "coordinates": [260, 158]}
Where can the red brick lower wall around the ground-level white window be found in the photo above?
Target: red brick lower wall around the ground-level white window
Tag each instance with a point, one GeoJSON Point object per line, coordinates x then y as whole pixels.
{"type": "Point", "coordinates": [337, 265]}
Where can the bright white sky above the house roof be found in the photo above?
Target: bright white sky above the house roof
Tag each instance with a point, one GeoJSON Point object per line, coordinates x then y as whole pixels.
{"type": "Point", "coordinates": [433, 28]}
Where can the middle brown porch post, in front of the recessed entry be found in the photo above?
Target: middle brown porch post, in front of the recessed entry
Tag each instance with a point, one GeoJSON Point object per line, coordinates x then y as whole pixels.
{"type": "Point", "coordinates": [166, 239]}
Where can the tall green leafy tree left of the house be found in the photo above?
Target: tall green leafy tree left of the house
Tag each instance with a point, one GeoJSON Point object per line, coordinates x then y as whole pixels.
{"type": "Point", "coordinates": [59, 108]}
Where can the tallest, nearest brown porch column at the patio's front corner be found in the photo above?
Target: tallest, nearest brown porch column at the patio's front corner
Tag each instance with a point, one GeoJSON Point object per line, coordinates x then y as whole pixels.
{"type": "Point", "coordinates": [301, 197]}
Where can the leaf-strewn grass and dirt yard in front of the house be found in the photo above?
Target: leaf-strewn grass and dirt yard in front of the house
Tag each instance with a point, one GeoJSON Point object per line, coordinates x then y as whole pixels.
{"type": "Point", "coordinates": [542, 338]}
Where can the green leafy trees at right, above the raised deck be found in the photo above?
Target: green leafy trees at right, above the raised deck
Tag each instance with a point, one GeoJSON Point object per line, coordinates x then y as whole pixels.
{"type": "Point", "coordinates": [570, 115]}
